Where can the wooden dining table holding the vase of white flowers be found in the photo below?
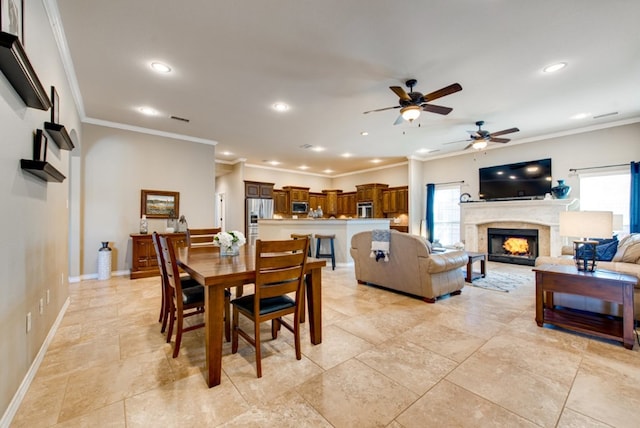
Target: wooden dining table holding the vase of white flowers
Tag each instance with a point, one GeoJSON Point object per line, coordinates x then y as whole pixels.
{"type": "Point", "coordinates": [218, 272]}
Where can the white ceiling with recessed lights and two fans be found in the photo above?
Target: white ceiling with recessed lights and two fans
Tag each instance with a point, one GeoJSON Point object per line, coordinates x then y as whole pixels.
{"type": "Point", "coordinates": [331, 60]}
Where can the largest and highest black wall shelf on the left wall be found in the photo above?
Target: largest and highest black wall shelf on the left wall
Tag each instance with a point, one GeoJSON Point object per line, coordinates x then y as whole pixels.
{"type": "Point", "coordinates": [15, 65]}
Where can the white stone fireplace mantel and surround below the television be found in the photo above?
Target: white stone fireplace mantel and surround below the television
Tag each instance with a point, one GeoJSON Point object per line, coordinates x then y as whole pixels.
{"type": "Point", "coordinates": [543, 215]}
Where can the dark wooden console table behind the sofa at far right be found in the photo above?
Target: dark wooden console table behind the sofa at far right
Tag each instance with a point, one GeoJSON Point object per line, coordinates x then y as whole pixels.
{"type": "Point", "coordinates": [601, 284]}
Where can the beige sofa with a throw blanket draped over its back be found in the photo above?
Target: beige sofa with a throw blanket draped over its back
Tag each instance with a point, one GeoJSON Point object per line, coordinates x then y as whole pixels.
{"type": "Point", "coordinates": [411, 268]}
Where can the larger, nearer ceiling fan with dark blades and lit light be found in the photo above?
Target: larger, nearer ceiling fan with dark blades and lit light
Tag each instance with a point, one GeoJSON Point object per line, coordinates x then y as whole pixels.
{"type": "Point", "coordinates": [410, 104]}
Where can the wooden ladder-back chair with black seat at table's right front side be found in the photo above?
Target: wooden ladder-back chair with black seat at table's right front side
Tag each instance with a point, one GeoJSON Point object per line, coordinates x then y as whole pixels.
{"type": "Point", "coordinates": [280, 267]}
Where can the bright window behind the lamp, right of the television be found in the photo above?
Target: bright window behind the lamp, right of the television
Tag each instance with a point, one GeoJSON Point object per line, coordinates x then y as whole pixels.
{"type": "Point", "coordinates": [609, 191]}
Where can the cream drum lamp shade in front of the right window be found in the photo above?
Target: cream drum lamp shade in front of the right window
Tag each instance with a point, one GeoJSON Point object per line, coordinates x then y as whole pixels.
{"type": "Point", "coordinates": [586, 224]}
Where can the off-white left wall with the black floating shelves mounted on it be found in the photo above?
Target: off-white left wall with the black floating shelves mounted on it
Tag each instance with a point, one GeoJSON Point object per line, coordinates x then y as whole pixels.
{"type": "Point", "coordinates": [34, 247]}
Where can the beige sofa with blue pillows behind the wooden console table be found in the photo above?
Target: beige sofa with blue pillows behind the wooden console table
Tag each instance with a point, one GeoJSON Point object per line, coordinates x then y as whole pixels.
{"type": "Point", "coordinates": [626, 260]}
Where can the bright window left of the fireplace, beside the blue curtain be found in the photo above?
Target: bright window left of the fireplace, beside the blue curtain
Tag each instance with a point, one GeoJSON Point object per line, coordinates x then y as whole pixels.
{"type": "Point", "coordinates": [446, 223]}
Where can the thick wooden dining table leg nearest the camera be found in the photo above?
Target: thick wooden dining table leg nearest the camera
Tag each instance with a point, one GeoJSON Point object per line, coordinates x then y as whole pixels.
{"type": "Point", "coordinates": [213, 325]}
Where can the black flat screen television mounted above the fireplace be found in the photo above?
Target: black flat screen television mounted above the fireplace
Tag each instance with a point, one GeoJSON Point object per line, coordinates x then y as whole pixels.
{"type": "Point", "coordinates": [522, 180]}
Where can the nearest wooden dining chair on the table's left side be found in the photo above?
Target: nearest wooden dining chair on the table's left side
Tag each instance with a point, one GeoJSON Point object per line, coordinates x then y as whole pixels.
{"type": "Point", "coordinates": [185, 302]}
